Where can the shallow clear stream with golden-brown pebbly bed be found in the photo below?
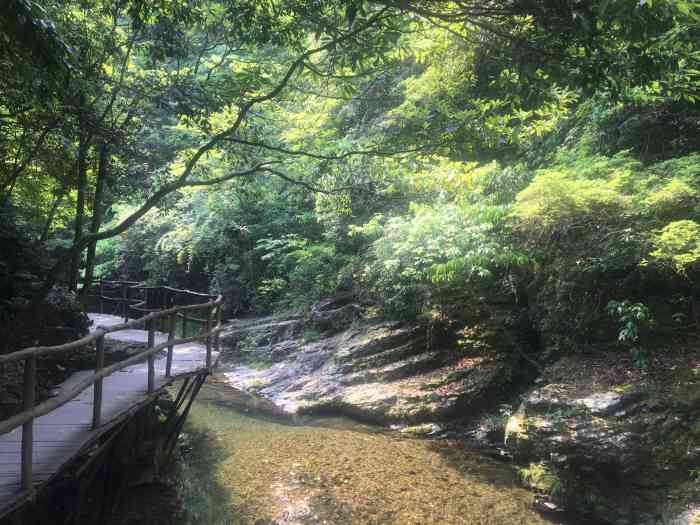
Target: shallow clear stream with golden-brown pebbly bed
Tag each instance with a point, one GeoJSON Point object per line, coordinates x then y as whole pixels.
{"type": "Point", "coordinates": [245, 468]}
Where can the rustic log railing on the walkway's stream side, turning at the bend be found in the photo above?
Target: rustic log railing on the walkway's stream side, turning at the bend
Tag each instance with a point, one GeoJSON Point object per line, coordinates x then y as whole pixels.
{"type": "Point", "coordinates": [212, 323]}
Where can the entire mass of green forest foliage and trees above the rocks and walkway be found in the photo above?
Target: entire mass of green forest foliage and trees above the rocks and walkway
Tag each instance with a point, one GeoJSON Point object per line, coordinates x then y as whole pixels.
{"type": "Point", "coordinates": [433, 158]}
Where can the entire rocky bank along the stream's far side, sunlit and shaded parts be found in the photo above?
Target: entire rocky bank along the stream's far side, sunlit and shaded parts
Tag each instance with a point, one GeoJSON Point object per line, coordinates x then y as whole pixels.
{"type": "Point", "coordinates": [592, 432]}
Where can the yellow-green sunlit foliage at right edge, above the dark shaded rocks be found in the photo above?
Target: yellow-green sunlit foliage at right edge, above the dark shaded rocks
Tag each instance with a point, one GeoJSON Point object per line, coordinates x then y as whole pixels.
{"type": "Point", "coordinates": [588, 192]}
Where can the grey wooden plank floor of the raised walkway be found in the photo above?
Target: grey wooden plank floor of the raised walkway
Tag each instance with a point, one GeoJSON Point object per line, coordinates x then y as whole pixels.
{"type": "Point", "coordinates": [62, 434]}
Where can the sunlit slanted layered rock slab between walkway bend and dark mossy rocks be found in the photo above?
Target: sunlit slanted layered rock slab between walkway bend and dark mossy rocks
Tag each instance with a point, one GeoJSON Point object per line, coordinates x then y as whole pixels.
{"type": "Point", "coordinates": [373, 370]}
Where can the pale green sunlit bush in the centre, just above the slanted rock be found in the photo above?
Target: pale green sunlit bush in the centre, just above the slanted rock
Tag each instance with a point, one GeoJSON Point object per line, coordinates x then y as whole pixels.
{"type": "Point", "coordinates": [438, 248]}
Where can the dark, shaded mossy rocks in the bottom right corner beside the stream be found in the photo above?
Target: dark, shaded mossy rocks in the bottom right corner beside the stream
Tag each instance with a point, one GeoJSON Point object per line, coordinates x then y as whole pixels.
{"type": "Point", "coordinates": [606, 439]}
